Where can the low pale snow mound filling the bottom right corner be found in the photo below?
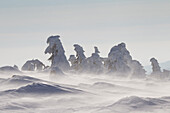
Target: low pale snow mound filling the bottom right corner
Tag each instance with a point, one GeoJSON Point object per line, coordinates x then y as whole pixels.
{"type": "Point", "coordinates": [134, 104]}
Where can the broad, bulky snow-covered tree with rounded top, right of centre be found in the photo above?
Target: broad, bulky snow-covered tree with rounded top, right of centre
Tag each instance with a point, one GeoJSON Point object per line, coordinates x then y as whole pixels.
{"type": "Point", "coordinates": [118, 58]}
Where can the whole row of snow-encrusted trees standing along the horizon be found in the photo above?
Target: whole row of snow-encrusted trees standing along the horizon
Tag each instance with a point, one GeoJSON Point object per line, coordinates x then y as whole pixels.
{"type": "Point", "coordinates": [119, 61]}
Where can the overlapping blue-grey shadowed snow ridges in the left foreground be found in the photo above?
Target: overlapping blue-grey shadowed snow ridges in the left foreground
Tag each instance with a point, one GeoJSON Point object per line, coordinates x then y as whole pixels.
{"type": "Point", "coordinates": [36, 86]}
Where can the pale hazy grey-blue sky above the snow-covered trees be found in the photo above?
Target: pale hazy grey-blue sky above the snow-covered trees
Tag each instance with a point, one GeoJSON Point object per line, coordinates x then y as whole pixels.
{"type": "Point", "coordinates": [144, 25]}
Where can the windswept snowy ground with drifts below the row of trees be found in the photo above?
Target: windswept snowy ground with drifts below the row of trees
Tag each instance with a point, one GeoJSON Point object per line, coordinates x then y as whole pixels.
{"type": "Point", "coordinates": [40, 93]}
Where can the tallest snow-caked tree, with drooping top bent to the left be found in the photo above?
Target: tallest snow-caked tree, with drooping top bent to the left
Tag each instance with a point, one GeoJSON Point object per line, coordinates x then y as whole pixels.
{"type": "Point", "coordinates": [57, 52]}
